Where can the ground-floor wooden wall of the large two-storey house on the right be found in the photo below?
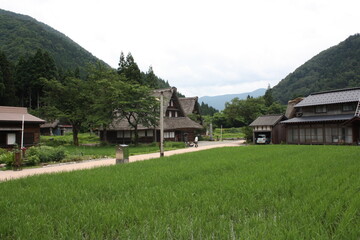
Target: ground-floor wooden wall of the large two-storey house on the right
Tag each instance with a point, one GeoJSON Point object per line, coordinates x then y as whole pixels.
{"type": "Point", "coordinates": [320, 134]}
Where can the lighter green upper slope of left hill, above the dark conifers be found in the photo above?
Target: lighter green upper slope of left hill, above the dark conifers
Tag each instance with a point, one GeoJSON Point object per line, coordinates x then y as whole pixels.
{"type": "Point", "coordinates": [22, 35]}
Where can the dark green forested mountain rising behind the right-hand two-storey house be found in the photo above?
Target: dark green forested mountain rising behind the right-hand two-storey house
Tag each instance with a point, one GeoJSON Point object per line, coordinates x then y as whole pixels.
{"type": "Point", "coordinates": [335, 68]}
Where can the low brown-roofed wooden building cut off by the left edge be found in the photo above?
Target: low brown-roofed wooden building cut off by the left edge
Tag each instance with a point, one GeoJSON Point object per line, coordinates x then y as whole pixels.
{"type": "Point", "coordinates": [11, 119]}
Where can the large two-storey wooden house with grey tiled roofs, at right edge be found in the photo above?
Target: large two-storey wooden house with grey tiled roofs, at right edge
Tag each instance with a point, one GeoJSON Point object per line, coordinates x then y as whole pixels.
{"type": "Point", "coordinates": [330, 117]}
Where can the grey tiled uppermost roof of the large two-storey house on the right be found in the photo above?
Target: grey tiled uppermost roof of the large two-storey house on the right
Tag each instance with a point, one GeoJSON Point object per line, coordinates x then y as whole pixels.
{"type": "Point", "coordinates": [331, 97]}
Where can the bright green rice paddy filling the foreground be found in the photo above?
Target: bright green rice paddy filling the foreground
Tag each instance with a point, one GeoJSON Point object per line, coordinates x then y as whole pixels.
{"type": "Point", "coordinates": [253, 192]}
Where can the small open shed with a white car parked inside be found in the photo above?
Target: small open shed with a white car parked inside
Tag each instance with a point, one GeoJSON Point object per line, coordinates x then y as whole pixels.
{"type": "Point", "coordinates": [269, 125]}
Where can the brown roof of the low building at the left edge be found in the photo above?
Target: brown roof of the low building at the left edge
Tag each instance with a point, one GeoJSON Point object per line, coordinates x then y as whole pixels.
{"type": "Point", "coordinates": [15, 114]}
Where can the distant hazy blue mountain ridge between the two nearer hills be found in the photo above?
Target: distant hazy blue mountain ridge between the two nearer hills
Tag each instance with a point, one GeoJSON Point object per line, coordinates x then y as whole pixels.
{"type": "Point", "coordinates": [218, 102]}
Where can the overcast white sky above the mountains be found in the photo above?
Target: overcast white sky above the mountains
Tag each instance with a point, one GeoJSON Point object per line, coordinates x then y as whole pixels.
{"type": "Point", "coordinates": [202, 47]}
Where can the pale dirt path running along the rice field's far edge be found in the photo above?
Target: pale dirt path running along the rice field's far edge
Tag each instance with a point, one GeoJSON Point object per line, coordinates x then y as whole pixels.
{"type": "Point", "coordinates": [66, 167]}
